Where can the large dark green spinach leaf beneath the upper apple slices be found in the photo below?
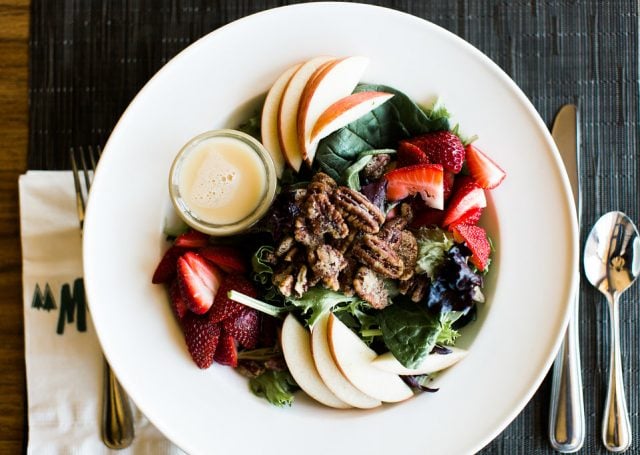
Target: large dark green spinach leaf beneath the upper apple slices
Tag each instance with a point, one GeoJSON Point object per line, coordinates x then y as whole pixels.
{"type": "Point", "coordinates": [398, 118]}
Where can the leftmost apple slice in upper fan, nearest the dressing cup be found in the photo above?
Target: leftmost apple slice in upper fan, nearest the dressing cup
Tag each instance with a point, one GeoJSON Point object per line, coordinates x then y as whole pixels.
{"type": "Point", "coordinates": [269, 119]}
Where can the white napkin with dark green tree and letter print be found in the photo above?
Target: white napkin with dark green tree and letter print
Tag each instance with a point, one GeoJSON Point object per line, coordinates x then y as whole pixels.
{"type": "Point", "coordinates": [63, 357]}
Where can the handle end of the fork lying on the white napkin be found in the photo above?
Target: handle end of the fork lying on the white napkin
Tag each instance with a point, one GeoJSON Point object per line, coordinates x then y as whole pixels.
{"type": "Point", "coordinates": [117, 418]}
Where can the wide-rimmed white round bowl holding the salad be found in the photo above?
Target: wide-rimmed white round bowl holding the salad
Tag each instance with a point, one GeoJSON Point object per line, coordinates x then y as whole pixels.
{"type": "Point", "coordinates": [212, 84]}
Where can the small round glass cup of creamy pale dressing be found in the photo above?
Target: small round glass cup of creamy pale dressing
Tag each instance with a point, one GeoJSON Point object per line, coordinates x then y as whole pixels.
{"type": "Point", "coordinates": [222, 182]}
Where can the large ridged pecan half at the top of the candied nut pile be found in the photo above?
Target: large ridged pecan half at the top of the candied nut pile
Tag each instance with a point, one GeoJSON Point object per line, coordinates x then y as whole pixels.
{"type": "Point", "coordinates": [359, 211]}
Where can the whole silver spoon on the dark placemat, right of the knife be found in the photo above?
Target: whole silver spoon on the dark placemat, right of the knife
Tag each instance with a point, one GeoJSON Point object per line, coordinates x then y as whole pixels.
{"type": "Point", "coordinates": [611, 264]}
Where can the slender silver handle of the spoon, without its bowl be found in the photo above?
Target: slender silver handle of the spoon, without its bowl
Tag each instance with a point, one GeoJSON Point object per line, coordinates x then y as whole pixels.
{"type": "Point", "coordinates": [616, 428]}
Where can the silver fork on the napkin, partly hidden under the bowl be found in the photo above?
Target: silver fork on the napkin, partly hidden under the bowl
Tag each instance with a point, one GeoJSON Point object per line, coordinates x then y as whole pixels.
{"type": "Point", "coordinates": [117, 418]}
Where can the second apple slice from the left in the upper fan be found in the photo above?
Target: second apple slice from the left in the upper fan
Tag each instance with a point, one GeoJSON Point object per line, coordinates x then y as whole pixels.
{"type": "Point", "coordinates": [288, 110]}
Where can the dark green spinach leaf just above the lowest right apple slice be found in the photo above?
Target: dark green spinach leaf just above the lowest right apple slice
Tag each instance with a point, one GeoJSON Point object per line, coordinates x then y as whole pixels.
{"type": "Point", "coordinates": [410, 332]}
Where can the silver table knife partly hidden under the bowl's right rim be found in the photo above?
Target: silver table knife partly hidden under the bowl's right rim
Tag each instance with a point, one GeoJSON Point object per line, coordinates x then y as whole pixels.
{"type": "Point", "coordinates": [566, 411]}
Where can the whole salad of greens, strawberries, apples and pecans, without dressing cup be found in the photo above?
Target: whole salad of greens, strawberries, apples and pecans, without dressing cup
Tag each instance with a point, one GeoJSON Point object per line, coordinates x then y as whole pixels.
{"type": "Point", "coordinates": [356, 283]}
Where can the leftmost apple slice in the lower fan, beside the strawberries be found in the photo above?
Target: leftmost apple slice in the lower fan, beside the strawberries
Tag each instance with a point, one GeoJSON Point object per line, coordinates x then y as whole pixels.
{"type": "Point", "coordinates": [296, 347]}
